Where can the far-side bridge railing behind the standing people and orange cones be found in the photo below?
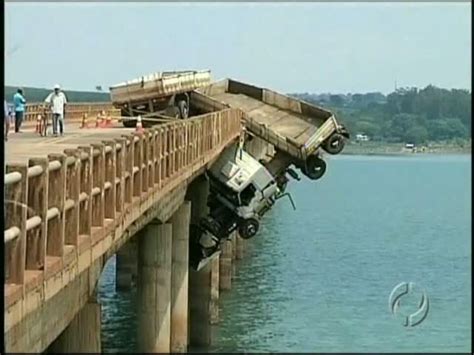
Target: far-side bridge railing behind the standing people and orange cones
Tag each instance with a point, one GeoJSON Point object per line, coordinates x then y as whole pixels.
{"type": "Point", "coordinates": [73, 110]}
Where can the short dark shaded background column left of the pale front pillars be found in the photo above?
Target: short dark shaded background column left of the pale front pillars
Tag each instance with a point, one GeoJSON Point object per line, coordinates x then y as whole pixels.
{"type": "Point", "coordinates": [126, 265]}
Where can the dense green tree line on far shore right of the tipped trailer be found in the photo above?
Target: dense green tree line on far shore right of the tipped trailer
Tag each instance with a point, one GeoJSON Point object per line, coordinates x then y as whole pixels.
{"type": "Point", "coordinates": [409, 115]}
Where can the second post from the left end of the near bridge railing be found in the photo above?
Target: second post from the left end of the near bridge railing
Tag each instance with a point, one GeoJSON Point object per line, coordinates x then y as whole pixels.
{"type": "Point", "coordinates": [36, 239]}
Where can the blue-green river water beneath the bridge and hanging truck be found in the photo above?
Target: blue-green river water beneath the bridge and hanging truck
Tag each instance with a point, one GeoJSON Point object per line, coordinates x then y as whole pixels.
{"type": "Point", "coordinates": [319, 278]}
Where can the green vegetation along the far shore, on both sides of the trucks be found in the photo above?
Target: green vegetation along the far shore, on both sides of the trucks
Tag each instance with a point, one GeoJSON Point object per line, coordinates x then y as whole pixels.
{"type": "Point", "coordinates": [435, 118]}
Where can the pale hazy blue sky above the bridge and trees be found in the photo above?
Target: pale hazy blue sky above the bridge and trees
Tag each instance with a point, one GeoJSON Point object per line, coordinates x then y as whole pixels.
{"type": "Point", "coordinates": [297, 47]}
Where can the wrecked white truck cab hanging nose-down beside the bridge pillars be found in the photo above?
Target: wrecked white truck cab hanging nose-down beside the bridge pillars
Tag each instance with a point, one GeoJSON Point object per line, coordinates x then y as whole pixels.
{"type": "Point", "coordinates": [241, 191]}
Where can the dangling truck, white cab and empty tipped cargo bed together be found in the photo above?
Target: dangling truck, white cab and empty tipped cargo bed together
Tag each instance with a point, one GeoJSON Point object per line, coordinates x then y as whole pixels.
{"type": "Point", "coordinates": [243, 189]}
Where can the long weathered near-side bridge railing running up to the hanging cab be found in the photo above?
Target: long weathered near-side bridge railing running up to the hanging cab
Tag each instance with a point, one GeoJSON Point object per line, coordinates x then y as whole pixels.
{"type": "Point", "coordinates": [53, 203]}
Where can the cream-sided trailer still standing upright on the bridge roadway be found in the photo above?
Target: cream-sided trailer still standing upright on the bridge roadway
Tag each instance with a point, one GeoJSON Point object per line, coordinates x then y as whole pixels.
{"type": "Point", "coordinates": [161, 94]}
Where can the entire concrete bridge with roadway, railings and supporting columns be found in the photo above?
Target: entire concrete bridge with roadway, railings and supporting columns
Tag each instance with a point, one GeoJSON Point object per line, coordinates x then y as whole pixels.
{"type": "Point", "coordinates": [72, 202]}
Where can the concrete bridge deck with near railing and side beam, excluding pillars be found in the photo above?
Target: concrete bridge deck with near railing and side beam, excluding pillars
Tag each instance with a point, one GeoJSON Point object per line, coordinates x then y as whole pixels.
{"type": "Point", "coordinates": [71, 202]}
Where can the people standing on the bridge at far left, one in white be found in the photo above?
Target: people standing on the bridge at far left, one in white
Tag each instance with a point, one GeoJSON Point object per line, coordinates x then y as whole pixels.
{"type": "Point", "coordinates": [56, 102]}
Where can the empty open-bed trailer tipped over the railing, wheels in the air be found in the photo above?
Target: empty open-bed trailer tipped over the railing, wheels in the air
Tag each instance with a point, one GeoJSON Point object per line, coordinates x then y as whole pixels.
{"type": "Point", "coordinates": [298, 130]}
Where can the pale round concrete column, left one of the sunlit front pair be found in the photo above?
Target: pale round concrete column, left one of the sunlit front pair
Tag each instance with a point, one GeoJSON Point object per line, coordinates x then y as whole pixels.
{"type": "Point", "coordinates": [154, 288]}
